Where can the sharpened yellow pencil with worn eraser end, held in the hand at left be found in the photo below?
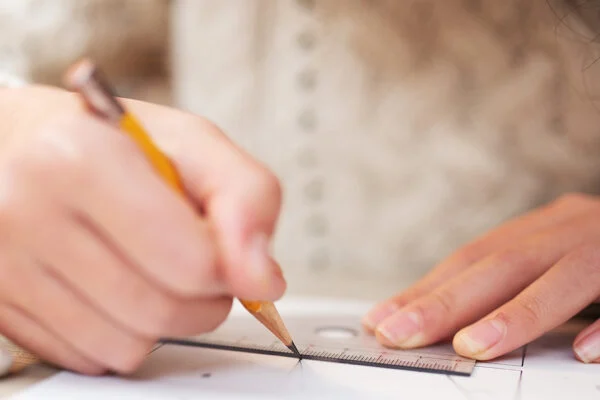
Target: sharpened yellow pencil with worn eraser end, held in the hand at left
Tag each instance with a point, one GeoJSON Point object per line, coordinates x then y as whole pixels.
{"type": "Point", "coordinates": [85, 78]}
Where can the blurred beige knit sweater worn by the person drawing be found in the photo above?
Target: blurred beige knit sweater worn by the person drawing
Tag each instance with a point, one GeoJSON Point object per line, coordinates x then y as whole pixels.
{"type": "Point", "coordinates": [400, 129]}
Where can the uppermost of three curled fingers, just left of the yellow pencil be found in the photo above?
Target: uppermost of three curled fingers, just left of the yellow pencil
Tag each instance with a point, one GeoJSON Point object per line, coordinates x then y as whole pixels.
{"type": "Point", "coordinates": [102, 175]}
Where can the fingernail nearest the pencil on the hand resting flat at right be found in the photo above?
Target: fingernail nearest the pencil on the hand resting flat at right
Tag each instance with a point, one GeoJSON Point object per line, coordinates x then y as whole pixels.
{"type": "Point", "coordinates": [402, 329]}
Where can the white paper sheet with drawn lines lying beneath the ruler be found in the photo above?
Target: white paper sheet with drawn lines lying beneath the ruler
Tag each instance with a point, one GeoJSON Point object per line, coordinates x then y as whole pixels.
{"type": "Point", "coordinates": [545, 369]}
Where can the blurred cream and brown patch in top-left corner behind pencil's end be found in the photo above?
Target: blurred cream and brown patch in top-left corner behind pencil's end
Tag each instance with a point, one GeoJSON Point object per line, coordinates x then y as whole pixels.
{"type": "Point", "coordinates": [130, 39]}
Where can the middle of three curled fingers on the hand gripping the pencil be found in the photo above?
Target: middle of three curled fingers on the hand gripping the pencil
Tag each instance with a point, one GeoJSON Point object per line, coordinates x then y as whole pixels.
{"type": "Point", "coordinates": [113, 287]}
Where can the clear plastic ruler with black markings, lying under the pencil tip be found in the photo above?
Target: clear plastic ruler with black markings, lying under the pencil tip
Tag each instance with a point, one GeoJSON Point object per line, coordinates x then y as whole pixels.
{"type": "Point", "coordinates": [332, 339]}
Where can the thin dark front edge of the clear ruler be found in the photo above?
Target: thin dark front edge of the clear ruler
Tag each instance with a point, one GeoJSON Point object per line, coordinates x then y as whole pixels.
{"type": "Point", "coordinates": [210, 345]}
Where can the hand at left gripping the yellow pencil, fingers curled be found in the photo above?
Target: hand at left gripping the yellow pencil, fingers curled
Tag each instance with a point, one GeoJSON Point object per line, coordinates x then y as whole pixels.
{"type": "Point", "coordinates": [101, 258]}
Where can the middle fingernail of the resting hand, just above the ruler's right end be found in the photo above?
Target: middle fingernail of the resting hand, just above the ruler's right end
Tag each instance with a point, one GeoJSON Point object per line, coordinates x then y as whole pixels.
{"type": "Point", "coordinates": [480, 337]}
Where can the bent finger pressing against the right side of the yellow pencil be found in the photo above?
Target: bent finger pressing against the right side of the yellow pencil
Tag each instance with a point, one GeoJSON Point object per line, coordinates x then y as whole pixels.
{"type": "Point", "coordinates": [243, 202]}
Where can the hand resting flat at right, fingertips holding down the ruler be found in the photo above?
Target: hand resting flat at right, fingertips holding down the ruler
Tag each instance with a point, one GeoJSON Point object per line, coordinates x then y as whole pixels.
{"type": "Point", "coordinates": [506, 288]}
